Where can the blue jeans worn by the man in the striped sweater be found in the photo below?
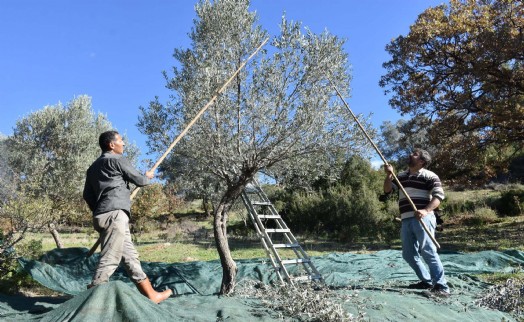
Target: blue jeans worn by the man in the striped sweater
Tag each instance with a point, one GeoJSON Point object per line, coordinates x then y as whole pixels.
{"type": "Point", "coordinates": [416, 244]}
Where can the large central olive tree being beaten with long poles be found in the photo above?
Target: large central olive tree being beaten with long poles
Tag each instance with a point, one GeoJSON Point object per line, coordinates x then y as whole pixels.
{"type": "Point", "coordinates": [280, 115]}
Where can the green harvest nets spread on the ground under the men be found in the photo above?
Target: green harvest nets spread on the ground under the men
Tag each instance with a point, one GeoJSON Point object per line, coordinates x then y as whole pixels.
{"type": "Point", "coordinates": [378, 280]}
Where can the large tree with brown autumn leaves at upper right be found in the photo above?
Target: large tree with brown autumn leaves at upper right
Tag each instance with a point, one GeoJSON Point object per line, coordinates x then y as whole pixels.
{"type": "Point", "coordinates": [461, 68]}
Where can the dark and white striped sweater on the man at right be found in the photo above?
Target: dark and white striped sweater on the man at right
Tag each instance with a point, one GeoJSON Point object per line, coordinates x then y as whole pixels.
{"type": "Point", "coordinates": [421, 187]}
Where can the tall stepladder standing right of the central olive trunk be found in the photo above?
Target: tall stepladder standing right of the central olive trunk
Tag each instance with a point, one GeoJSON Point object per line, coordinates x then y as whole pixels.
{"type": "Point", "coordinates": [269, 227]}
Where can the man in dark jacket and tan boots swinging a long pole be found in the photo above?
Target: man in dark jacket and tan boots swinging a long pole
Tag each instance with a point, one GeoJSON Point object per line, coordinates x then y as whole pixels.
{"type": "Point", "coordinates": [107, 193]}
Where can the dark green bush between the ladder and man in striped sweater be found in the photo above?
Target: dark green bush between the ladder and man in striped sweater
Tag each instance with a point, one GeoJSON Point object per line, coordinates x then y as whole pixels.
{"type": "Point", "coordinates": [345, 210]}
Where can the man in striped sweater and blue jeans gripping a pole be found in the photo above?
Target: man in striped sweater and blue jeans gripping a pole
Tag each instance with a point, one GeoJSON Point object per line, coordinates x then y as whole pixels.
{"type": "Point", "coordinates": [425, 190]}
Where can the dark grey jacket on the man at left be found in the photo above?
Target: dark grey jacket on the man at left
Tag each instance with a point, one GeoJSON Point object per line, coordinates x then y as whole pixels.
{"type": "Point", "coordinates": [107, 183]}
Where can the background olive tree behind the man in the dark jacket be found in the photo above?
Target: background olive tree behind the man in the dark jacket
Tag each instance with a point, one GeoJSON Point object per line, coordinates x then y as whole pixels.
{"type": "Point", "coordinates": [48, 154]}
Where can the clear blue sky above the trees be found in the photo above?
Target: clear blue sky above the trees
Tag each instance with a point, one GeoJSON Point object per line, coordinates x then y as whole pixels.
{"type": "Point", "coordinates": [115, 51]}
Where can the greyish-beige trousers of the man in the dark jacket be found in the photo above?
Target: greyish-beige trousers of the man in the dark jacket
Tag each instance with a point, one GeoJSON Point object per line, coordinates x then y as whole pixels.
{"type": "Point", "coordinates": [117, 246]}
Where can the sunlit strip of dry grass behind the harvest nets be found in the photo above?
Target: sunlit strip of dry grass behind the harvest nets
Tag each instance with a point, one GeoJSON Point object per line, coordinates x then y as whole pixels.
{"type": "Point", "coordinates": [507, 233]}
